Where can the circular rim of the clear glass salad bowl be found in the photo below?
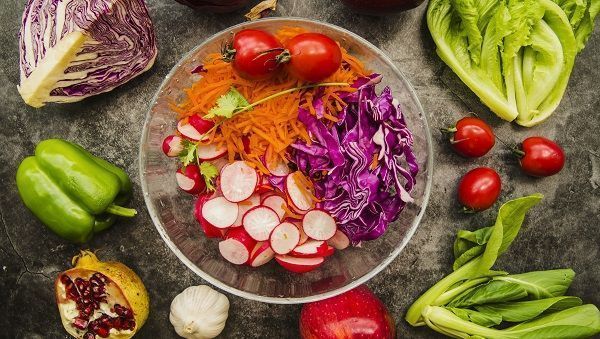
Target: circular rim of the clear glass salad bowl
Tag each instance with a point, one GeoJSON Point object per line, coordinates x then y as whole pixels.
{"type": "Point", "coordinates": [275, 300]}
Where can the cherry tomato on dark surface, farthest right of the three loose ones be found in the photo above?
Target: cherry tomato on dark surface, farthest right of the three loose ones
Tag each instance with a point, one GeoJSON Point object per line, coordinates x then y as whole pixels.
{"type": "Point", "coordinates": [541, 157]}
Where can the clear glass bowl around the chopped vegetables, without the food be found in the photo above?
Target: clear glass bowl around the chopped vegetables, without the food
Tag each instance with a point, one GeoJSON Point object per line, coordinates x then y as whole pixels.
{"type": "Point", "coordinates": [172, 210]}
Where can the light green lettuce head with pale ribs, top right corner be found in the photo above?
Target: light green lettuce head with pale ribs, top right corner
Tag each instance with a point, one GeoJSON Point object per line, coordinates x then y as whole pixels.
{"type": "Point", "coordinates": [515, 55]}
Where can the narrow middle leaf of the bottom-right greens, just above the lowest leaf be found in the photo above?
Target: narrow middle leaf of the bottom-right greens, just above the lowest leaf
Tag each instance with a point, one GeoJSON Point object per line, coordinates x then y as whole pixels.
{"type": "Point", "coordinates": [526, 310]}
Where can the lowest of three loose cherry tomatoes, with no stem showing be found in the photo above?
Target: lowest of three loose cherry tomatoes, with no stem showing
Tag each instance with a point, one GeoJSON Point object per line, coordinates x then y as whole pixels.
{"type": "Point", "coordinates": [479, 189]}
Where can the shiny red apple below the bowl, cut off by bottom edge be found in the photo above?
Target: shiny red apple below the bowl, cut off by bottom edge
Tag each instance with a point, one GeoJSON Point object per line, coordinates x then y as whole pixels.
{"type": "Point", "coordinates": [357, 313]}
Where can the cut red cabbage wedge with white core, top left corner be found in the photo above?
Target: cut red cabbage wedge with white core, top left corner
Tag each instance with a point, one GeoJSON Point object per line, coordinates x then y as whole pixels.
{"type": "Point", "coordinates": [73, 49]}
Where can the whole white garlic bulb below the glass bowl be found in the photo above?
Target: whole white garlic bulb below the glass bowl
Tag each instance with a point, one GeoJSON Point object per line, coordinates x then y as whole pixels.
{"type": "Point", "coordinates": [199, 312]}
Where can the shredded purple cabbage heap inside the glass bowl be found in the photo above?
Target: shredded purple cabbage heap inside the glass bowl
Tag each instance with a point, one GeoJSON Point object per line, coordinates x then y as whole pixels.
{"type": "Point", "coordinates": [363, 166]}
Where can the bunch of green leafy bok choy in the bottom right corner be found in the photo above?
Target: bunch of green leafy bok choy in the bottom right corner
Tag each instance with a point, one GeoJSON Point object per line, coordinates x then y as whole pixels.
{"type": "Point", "coordinates": [474, 299]}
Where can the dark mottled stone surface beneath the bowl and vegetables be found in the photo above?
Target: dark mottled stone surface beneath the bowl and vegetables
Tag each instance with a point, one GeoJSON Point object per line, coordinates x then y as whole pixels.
{"type": "Point", "coordinates": [561, 232]}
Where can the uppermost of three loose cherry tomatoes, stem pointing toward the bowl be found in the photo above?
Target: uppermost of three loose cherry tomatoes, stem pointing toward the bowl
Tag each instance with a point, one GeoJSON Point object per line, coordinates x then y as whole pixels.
{"type": "Point", "coordinates": [472, 137]}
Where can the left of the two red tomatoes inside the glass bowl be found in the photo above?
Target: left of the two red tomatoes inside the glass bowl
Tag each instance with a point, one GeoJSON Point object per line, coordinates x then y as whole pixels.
{"type": "Point", "coordinates": [253, 54]}
